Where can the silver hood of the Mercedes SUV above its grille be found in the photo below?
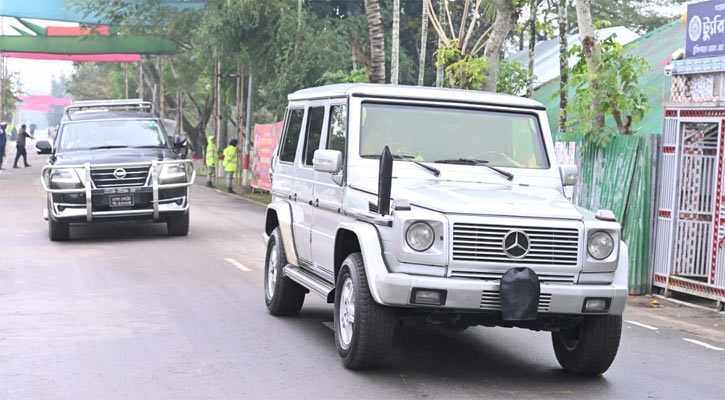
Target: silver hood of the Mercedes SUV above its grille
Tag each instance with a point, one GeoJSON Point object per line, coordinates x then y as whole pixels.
{"type": "Point", "coordinates": [455, 197]}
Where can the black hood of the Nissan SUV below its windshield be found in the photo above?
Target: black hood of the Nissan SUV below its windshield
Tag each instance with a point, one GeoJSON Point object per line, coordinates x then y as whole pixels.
{"type": "Point", "coordinates": [108, 156]}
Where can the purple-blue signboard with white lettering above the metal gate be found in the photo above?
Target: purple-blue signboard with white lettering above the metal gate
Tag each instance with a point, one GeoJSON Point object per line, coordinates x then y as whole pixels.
{"type": "Point", "coordinates": [705, 29]}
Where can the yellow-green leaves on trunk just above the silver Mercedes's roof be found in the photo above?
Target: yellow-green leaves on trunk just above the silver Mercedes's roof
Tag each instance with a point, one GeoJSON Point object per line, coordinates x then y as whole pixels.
{"type": "Point", "coordinates": [463, 71]}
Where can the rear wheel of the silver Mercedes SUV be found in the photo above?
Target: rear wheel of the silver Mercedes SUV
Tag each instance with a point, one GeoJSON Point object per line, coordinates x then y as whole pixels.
{"type": "Point", "coordinates": [284, 296]}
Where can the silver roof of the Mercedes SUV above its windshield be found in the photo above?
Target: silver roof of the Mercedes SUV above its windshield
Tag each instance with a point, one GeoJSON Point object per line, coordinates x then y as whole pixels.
{"type": "Point", "coordinates": [414, 93]}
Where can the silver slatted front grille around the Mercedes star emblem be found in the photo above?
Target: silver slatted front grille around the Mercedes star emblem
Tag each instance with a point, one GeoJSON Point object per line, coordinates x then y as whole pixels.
{"type": "Point", "coordinates": [484, 243]}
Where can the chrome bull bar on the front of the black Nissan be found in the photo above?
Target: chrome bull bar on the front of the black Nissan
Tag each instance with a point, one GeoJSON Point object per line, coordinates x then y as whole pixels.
{"type": "Point", "coordinates": [155, 167]}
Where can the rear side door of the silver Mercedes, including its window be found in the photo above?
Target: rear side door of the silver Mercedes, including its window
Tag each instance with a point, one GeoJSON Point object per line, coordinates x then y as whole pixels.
{"type": "Point", "coordinates": [303, 185]}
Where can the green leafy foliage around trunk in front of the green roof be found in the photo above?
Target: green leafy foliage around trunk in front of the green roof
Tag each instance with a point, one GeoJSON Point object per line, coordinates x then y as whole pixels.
{"type": "Point", "coordinates": [620, 95]}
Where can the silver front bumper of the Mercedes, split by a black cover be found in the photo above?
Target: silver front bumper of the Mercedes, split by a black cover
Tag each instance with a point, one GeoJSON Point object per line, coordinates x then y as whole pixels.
{"type": "Point", "coordinates": [395, 289]}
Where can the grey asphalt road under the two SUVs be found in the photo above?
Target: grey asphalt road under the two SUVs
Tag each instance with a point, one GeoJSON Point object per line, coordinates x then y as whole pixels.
{"type": "Point", "coordinates": [124, 311]}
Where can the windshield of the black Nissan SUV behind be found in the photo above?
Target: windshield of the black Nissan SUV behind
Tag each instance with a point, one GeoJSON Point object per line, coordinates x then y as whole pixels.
{"type": "Point", "coordinates": [88, 135]}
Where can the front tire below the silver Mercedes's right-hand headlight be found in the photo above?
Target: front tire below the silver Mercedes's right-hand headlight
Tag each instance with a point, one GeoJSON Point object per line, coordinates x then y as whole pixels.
{"type": "Point", "coordinates": [590, 347]}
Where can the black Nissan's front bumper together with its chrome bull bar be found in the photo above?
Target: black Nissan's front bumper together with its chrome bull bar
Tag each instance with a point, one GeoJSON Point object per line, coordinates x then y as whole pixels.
{"type": "Point", "coordinates": [157, 199]}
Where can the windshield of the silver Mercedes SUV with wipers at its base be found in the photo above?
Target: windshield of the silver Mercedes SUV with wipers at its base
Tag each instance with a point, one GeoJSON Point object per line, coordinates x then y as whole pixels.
{"type": "Point", "coordinates": [431, 133]}
